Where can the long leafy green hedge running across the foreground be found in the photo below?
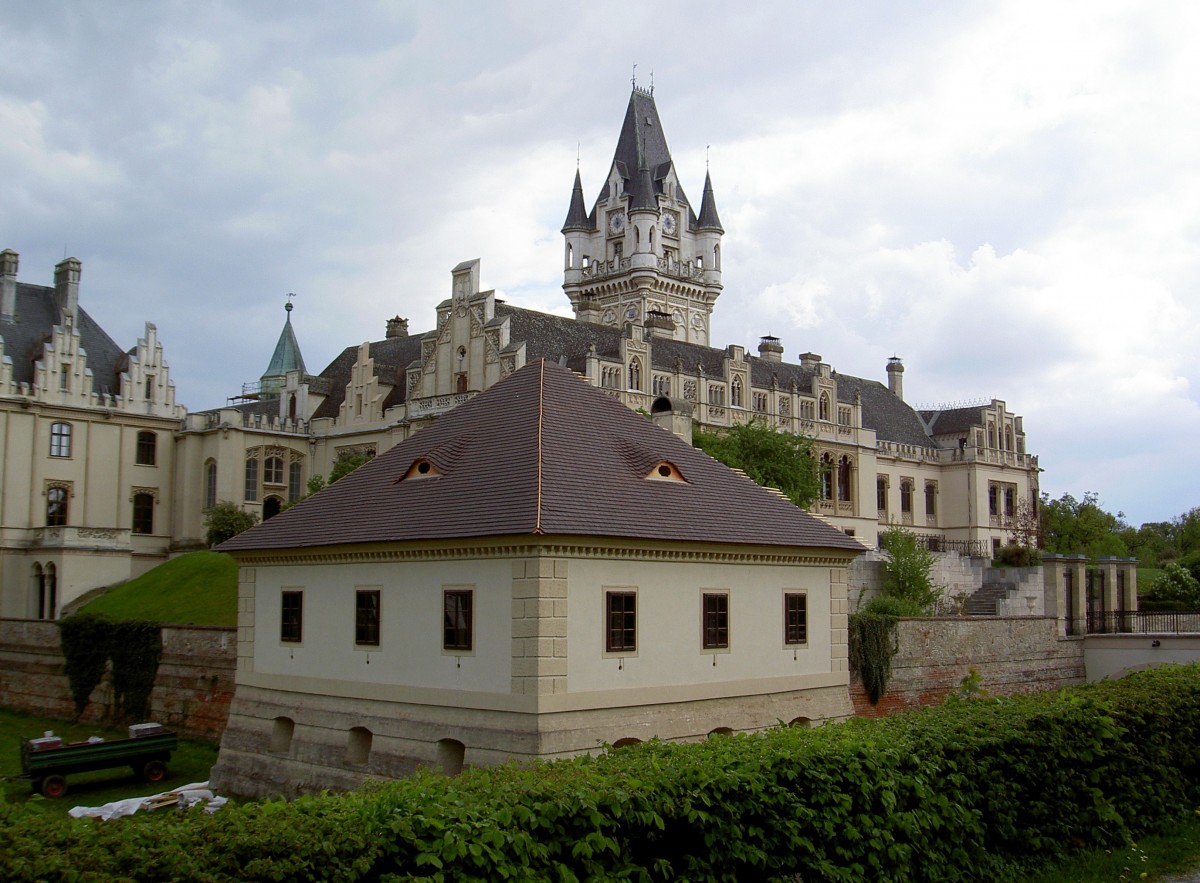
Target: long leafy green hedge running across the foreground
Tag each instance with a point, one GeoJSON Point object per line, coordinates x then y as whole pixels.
{"type": "Point", "coordinates": [976, 790]}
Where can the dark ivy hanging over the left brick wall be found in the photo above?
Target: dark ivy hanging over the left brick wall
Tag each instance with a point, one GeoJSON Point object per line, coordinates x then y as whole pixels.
{"type": "Point", "coordinates": [135, 648]}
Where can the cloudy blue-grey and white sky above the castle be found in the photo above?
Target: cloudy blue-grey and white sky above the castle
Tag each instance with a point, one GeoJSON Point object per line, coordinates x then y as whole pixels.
{"type": "Point", "coordinates": [1007, 196]}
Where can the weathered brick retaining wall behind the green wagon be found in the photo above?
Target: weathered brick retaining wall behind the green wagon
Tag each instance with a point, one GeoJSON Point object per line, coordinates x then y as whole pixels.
{"type": "Point", "coordinates": [193, 692]}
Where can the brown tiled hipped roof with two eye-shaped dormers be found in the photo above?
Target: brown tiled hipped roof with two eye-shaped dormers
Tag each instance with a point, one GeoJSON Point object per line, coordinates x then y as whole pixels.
{"type": "Point", "coordinates": [543, 454]}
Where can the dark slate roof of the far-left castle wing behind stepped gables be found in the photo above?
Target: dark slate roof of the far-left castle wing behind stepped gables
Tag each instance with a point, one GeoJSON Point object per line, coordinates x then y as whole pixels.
{"type": "Point", "coordinates": [37, 315]}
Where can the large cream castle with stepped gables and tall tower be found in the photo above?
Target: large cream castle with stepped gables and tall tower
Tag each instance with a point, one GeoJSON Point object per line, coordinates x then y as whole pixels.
{"type": "Point", "coordinates": [104, 476]}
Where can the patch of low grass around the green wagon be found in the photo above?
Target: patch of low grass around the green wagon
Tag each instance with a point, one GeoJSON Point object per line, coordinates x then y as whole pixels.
{"type": "Point", "coordinates": [191, 762]}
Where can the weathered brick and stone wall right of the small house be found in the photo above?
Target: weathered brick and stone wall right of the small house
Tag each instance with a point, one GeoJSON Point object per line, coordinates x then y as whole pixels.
{"type": "Point", "coordinates": [1012, 654]}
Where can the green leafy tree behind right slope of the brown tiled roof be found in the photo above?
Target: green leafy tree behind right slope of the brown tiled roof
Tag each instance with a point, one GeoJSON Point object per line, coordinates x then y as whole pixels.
{"type": "Point", "coordinates": [770, 458]}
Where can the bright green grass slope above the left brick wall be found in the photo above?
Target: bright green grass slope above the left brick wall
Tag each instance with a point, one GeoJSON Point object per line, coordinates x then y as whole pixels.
{"type": "Point", "coordinates": [199, 588]}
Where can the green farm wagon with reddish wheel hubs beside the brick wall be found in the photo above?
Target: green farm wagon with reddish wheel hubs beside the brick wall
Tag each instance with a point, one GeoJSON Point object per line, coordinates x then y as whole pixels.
{"type": "Point", "coordinates": [47, 765]}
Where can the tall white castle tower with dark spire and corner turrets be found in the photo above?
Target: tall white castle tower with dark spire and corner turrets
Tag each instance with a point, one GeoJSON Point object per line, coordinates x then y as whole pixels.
{"type": "Point", "coordinates": [643, 249]}
